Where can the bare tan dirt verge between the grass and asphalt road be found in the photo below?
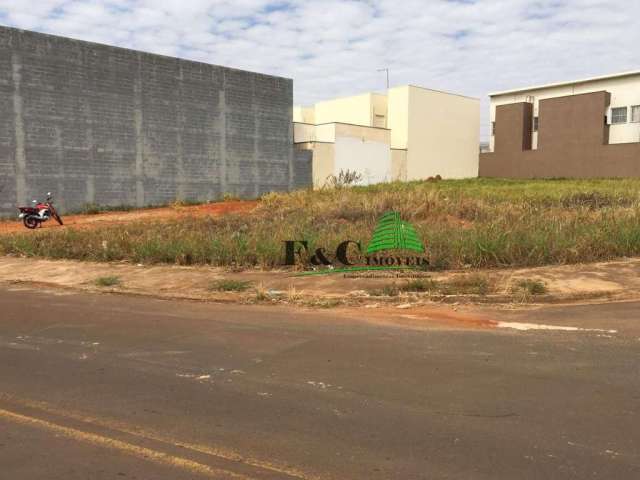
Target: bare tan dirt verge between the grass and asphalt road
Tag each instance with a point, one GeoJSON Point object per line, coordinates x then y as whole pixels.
{"type": "Point", "coordinates": [619, 280]}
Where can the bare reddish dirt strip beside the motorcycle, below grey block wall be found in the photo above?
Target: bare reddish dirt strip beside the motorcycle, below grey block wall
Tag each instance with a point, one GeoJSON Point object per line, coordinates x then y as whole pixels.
{"type": "Point", "coordinates": [116, 218]}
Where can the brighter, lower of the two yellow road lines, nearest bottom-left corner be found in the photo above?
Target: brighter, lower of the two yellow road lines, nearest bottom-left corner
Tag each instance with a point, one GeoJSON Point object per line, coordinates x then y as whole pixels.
{"type": "Point", "coordinates": [143, 453]}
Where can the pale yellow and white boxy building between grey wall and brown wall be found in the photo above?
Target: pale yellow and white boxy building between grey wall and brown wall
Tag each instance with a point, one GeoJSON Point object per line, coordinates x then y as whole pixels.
{"type": "Point", "coordinates": [411, 133]}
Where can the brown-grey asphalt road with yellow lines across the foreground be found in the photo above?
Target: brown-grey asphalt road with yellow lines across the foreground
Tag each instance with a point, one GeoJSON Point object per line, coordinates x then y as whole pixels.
{"type": "Point", "coordinates": [105, 387]}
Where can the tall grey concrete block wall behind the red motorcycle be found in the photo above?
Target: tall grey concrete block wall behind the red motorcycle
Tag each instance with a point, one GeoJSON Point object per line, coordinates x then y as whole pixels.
{"type": "Point", "coordinates": [104, 125]}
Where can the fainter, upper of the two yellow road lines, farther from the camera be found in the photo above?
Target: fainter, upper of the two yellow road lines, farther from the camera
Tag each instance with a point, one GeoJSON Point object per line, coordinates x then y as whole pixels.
{"type": "Point", "coordinates": [223, 453]}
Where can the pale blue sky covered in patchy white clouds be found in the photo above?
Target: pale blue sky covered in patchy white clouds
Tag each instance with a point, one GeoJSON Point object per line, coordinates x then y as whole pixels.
{"type": "Point", "coordinates": [335, 47]}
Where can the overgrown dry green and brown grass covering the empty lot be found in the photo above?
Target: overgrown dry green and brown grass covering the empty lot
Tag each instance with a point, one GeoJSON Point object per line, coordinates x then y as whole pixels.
{"type": "Point", "coordinates": [472, 223]}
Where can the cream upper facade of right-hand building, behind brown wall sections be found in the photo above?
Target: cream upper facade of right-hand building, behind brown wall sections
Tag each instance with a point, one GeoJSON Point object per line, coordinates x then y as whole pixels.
{"type": "Point", "coordinates": [623, 114]}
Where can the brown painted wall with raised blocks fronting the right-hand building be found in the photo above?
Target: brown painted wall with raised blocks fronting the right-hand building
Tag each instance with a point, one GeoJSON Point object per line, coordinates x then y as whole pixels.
{"type": "Point", "coordinates": [573, 141]}
